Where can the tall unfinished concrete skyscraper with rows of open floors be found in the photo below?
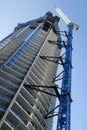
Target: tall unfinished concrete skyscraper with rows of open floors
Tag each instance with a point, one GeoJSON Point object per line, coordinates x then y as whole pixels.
{"type": "Point", "coordinates": [24, 70]}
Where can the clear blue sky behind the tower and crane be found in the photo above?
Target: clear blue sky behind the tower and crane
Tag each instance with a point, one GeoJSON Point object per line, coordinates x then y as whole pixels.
{"type": "Point", "coordinates": [13, 12]}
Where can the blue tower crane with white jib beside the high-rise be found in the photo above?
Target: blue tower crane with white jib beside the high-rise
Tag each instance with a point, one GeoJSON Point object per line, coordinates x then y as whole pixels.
{"type": "Point", "coordinates": [64, 113]}
